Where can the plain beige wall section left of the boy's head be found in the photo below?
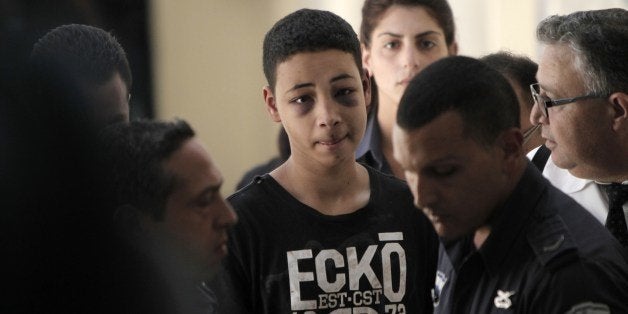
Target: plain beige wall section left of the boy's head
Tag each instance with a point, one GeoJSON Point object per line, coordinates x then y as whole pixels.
{"type": "Point", "coordinates": [207, 70]}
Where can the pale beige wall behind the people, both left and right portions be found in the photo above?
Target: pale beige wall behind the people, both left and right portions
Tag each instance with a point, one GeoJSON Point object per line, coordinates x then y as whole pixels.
{"type": "Point", "coordinates": [207, 61]}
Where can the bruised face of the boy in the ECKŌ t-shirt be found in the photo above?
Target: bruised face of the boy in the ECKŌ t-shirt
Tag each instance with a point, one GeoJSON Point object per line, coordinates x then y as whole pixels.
{"type": "Point", "coordinates": [320, 98]}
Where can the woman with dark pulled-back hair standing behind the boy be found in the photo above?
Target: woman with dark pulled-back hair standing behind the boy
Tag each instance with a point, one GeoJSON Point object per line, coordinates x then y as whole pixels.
{"type": "Point", "coordinates": [399, 39]}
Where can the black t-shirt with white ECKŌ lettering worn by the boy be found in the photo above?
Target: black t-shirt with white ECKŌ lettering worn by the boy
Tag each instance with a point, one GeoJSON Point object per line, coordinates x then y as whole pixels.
{"type": "Point", "coordinates": [286, 257]}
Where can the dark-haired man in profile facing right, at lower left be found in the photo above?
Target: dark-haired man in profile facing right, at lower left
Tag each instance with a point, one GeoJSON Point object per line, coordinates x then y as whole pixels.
{"type": "Point", "coordinates": [164, 191]}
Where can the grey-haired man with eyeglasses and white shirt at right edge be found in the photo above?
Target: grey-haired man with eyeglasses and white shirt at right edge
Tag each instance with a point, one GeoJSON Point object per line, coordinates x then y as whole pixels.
{"type": "Point", "coordinates": [581, 102]}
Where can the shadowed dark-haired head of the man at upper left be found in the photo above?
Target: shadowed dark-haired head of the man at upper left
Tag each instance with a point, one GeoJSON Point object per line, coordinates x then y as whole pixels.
{"type": "Point", "coordinates": [93, 64]}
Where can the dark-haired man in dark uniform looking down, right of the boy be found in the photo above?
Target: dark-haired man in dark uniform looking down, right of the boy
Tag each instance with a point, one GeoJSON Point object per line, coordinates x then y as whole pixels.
{"type": "Point", "coordinates": [511, 241]}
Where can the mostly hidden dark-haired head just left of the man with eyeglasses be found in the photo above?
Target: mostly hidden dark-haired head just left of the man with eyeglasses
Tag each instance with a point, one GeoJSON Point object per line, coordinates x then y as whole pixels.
{"type": "Point", "coordinates": [520, 72]}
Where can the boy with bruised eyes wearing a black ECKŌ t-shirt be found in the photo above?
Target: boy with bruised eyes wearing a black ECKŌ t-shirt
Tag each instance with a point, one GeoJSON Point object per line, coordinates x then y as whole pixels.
{"type": "Point", "coordinates": [323, 233]}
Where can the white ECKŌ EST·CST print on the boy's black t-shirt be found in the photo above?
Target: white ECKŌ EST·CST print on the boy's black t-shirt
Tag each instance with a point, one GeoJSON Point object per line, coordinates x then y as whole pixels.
{"type": "Point", "coordinates": [347, 281]}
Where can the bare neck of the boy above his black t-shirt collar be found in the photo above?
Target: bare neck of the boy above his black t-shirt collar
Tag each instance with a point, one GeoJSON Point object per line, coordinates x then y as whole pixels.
{"type": "Point", "coordinates": [331, 191]}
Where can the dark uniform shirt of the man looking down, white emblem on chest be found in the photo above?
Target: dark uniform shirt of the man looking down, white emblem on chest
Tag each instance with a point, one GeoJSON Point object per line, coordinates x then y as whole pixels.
{"type": "Point", "coordinates": [545, 254]}
